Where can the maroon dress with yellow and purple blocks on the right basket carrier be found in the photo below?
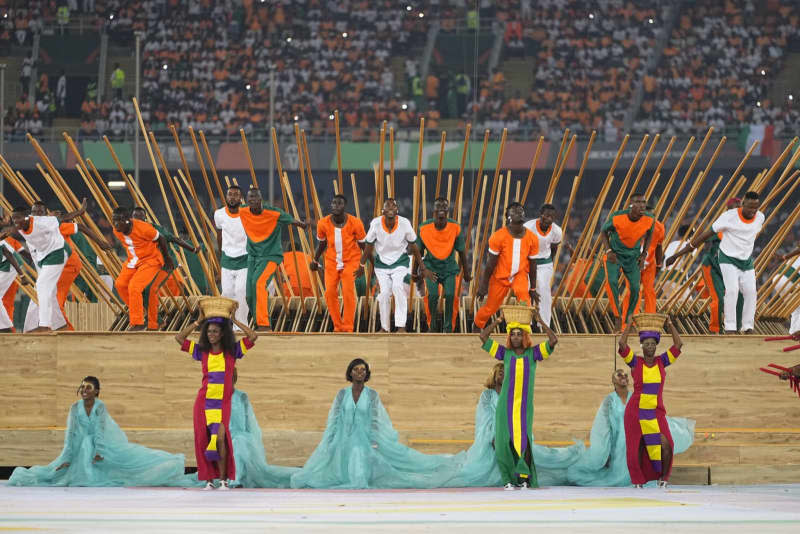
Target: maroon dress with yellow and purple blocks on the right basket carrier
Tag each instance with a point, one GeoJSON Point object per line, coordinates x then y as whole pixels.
{"type": "Point", "coordinates": [646, 417]}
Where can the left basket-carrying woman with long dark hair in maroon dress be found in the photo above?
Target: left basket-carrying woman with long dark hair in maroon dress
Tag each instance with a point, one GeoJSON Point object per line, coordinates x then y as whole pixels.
{"type": "Point", "coordinates": [217, 350]}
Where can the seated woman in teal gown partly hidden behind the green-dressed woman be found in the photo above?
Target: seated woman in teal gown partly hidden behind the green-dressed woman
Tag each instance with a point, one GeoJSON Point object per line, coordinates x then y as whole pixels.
{"type": "Point", "coordinates": [480, 468]}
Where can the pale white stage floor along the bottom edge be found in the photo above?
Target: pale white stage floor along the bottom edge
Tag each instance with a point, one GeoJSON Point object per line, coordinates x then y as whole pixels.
{"type": "Point", "coordinates": [769, 508]}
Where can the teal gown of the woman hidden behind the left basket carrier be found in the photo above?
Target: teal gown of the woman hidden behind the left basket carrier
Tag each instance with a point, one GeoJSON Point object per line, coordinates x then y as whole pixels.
{"type": "Point", "coordinates": [252, 470]}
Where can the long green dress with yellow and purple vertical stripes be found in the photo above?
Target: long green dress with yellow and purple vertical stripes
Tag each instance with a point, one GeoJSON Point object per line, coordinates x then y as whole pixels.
{"type": "Point", "coordinates": [514, 417]}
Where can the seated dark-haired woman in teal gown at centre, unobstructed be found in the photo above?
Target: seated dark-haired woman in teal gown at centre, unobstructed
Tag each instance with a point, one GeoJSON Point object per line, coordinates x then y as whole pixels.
{"type": "Point", "coordinates": [360, 449]}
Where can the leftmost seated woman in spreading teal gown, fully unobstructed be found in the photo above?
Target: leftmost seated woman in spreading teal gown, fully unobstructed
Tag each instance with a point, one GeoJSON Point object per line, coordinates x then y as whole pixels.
{"type": "Point", "coordinates": [97, 453]}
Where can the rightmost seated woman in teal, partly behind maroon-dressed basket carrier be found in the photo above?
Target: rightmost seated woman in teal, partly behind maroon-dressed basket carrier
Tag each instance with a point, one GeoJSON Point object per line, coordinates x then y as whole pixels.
{"type": "Point", "coordinates": [603, 463]}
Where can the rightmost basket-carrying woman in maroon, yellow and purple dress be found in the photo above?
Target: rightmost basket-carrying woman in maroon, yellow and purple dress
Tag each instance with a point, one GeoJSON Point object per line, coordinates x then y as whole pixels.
{"type": "Point", "coordinates": [648, 439]}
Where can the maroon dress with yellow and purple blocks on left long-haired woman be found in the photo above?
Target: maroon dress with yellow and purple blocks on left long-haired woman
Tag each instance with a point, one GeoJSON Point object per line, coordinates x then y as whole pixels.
{"type": "Point", "coordinates": [213, 407]}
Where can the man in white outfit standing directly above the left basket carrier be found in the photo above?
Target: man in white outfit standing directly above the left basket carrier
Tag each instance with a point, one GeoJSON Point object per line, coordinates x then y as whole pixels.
{"type": "Point", "coordinates": [232, 242]}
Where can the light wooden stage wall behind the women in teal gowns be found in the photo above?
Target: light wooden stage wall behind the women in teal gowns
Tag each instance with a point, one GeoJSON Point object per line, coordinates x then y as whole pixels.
{"type": "Point", "coordinates": [748, 423]}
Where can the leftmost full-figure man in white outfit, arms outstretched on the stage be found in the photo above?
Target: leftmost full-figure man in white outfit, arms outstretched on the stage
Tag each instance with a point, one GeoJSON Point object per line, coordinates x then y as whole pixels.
{"type": "Point", "coordinates": [49, 252]}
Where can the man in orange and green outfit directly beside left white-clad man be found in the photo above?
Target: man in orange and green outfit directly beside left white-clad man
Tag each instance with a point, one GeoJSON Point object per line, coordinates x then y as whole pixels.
{"type": "Point", "coordinates": [264, 228]}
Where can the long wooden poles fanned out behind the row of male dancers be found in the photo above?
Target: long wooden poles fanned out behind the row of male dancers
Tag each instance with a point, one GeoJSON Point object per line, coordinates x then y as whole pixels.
{"type": "Point", "coordinates": [575, 310]}
